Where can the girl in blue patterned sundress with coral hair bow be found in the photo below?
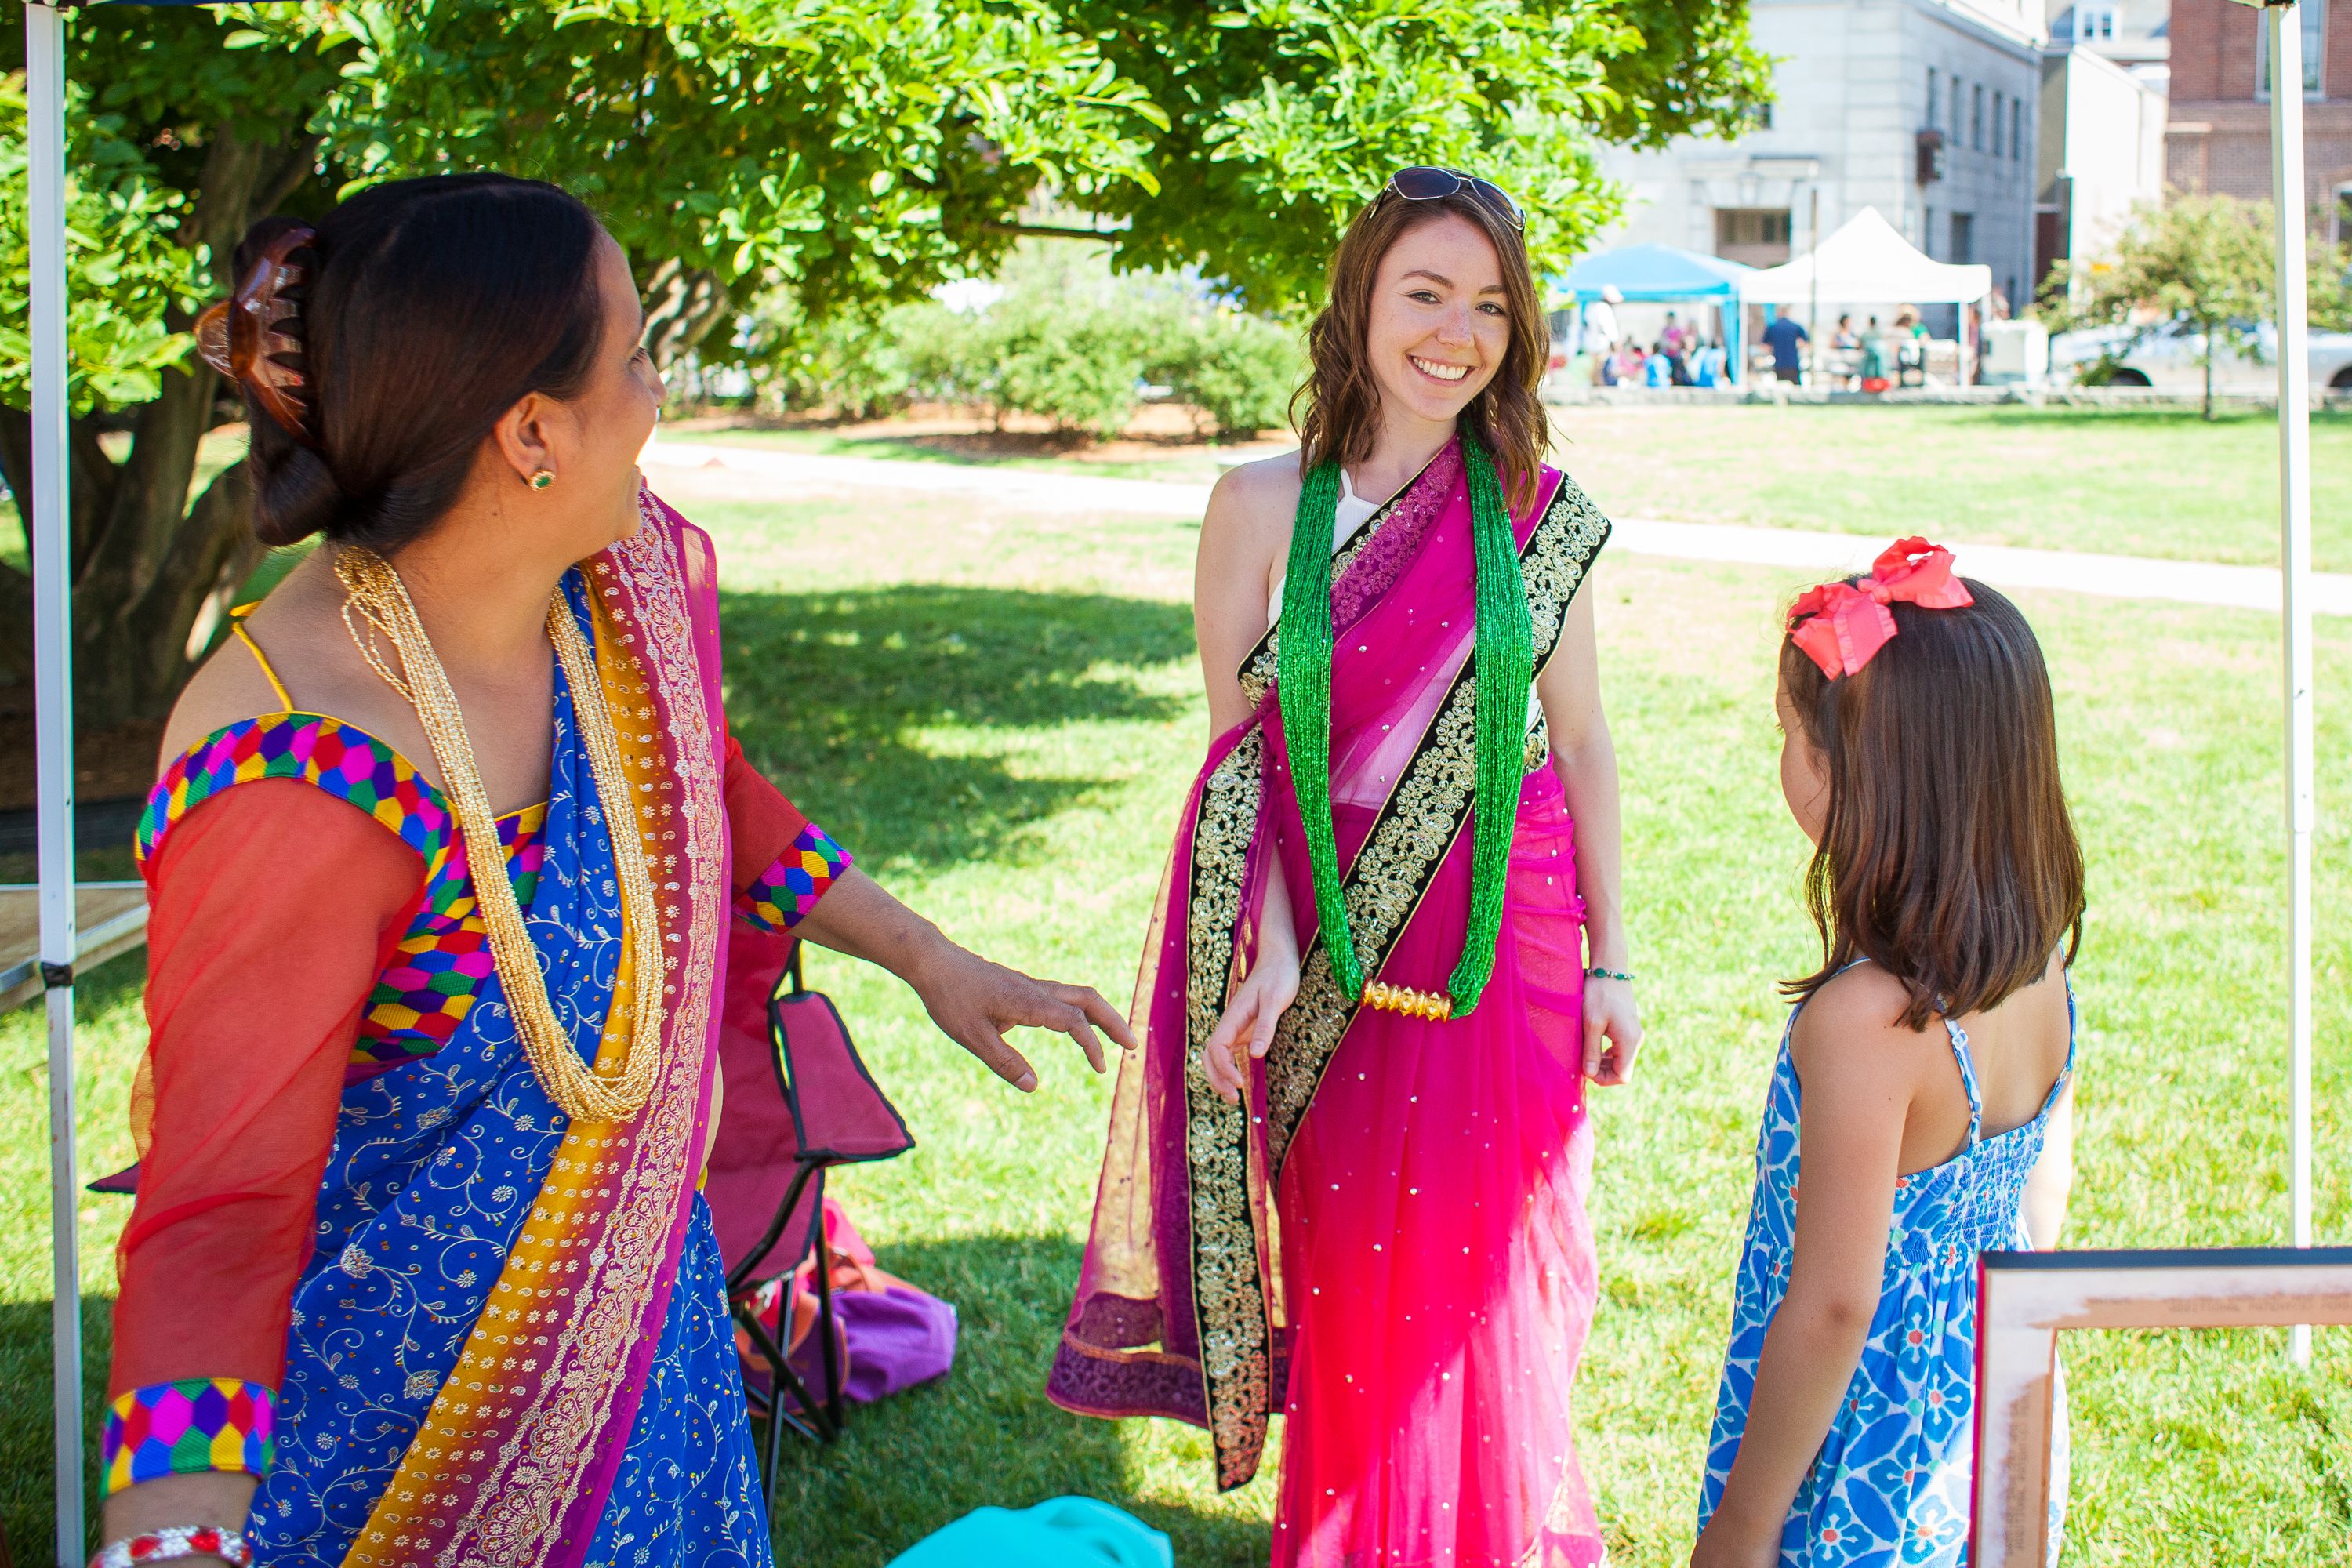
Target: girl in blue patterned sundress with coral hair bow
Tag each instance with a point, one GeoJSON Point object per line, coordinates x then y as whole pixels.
{"type": "Point", "coordinates": [1923, 1085]}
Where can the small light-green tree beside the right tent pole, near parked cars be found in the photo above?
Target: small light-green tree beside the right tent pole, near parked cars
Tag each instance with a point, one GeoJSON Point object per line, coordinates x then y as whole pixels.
{"type": "Point", "coordinates": [2205, 264]}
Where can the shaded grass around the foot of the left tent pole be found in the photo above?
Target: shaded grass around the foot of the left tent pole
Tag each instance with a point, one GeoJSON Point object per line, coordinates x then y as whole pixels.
{"type": "Point", "coordinates": [27, 1426]}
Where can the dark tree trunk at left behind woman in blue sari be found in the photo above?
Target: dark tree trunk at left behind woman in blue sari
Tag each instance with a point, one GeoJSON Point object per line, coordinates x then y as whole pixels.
{"type": "Point", "coordinates": [147, 568]}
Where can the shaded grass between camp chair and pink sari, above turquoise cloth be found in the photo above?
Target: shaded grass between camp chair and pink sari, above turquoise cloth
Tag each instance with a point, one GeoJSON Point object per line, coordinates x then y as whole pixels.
{"type": "Point", "coordinates": [984, 1435]}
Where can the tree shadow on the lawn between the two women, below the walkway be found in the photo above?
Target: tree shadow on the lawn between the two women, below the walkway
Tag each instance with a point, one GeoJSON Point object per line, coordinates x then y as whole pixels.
{"type": "Point", "coordinates": [827, 692]}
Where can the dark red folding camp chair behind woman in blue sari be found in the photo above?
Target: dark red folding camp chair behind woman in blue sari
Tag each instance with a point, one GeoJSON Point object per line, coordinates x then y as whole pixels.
{"type": "Point", "coordinates": [799, 1104]}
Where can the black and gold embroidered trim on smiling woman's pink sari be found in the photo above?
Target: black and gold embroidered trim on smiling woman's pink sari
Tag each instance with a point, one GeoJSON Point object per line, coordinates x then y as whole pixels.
{"type": "Point", "coordinates": [1410, 838]}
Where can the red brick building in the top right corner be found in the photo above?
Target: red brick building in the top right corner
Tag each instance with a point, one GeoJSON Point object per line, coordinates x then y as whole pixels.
{"type": "Point", "coordinates": [2219, 133]}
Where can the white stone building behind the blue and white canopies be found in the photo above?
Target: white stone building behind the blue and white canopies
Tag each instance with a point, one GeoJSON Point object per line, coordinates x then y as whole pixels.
{"type": "Point", "coordinates": [1923, 109]}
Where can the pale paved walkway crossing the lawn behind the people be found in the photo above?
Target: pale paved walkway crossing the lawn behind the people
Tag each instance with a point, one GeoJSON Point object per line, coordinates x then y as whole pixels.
{"type": "Point", "coordinates": [2125, 577]}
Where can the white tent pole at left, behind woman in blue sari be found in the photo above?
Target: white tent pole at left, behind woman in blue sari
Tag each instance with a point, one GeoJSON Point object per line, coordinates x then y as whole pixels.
{"type": "Point", "coordinates": [53, 695]}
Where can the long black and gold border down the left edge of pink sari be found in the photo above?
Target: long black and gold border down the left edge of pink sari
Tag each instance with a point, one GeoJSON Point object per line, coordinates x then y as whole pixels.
{"type": "Point", "coordinates": [1229, 1296]}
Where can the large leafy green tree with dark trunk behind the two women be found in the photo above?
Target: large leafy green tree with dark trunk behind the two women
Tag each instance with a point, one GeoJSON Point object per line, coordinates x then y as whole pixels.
{"type": "Point", "coordinates": [850, 154]}
